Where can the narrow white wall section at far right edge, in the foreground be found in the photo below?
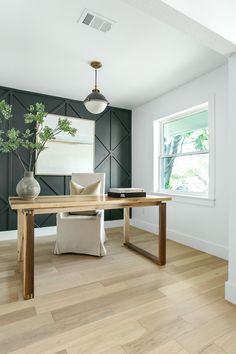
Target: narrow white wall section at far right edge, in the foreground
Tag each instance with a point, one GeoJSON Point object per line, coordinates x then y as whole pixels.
{"type": "Point", "coordinates": [230, 289]}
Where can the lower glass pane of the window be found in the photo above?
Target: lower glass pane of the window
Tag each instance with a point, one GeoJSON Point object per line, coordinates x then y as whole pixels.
{"type": "Point", "coordinates": [185, 173]}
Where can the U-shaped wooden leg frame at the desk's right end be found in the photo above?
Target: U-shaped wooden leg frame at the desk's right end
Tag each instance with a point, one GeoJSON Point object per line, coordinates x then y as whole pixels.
{"type": "Point", "coordinates": [161, 249]}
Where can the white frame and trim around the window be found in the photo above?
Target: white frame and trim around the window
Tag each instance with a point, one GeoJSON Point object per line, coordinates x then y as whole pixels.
{"type": "Point", "coordinates": [157, 139]}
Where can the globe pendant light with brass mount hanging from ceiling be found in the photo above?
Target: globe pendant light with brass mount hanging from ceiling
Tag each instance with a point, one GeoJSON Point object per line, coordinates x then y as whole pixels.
{"type": "Point", "coordinates": [95, 102]}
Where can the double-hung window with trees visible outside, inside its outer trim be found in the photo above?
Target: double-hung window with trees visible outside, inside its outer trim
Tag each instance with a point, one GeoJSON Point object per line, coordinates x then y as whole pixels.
{"type": "Point", "coordinates": [184, 156]}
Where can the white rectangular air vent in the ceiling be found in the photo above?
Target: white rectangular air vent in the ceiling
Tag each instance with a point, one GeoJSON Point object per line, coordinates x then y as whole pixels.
{"type": "Point", "coordinates": [98, 22]}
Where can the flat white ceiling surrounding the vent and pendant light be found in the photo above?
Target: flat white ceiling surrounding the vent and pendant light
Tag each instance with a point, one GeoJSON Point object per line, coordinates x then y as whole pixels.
{"type": "Point", "coordinates": [44, 49]}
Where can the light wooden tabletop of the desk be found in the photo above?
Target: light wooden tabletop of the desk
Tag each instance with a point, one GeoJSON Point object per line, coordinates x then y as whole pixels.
{"type": "Point", "coordinates": [83, 202]}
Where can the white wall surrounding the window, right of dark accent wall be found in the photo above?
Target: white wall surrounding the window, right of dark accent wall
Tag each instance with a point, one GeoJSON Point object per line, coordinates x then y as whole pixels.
{"type": "Point", "coordinates": [203, 227]}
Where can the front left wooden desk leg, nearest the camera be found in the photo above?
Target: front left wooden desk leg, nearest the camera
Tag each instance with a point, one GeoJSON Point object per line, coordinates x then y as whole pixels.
{"type": "Point", "coordinates": [28, 261]}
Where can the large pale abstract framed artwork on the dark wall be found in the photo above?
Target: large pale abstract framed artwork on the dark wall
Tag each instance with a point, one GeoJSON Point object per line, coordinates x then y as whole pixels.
{"type": "Point", "coordinates": [68, 154]}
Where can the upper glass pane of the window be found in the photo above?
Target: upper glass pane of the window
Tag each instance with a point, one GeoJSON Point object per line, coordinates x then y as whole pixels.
{"type": "Point", "coordinates": [188, 134]}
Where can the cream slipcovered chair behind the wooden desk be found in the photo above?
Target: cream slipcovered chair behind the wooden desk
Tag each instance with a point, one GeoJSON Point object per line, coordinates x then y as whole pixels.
{"type": "Point", "coordinates": [83, 234]}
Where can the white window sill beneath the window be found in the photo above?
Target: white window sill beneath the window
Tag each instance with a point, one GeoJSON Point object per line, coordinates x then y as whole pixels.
{"type": "Point", "coordinates": [189, 199]}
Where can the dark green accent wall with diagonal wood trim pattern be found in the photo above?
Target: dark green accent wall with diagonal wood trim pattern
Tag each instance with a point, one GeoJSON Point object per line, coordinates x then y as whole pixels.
{"type": "Point", "coordinates": [112, 151]}
